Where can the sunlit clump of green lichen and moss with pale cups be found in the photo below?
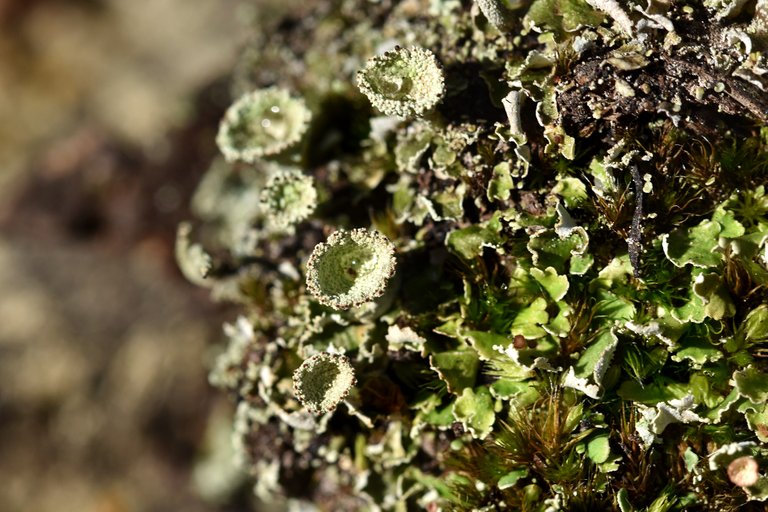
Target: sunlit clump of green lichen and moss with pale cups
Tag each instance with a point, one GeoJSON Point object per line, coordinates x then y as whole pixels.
{"type": "Point", "coordinates": [538, 282]}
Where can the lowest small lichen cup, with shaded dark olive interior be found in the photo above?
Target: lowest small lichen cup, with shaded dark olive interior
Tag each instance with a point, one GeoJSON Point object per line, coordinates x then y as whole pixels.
{"type": "Point", "coordinates": [322, 381]}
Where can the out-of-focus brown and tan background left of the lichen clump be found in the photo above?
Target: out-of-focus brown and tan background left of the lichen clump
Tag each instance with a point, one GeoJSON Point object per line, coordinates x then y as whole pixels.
{"type": "Point", "coordinates": [108, 110]}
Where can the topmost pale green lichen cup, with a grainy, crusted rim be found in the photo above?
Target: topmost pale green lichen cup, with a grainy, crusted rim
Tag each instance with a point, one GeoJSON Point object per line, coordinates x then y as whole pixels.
{"type": "Point", "coordinates": [404, 82]}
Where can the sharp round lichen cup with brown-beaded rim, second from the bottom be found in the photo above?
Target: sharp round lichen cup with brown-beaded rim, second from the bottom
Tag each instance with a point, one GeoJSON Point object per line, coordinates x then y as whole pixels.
{"type": "Point", "coordinates": [350, 268]}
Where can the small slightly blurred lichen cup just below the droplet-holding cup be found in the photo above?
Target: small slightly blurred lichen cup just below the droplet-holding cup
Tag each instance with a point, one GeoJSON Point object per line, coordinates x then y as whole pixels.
{"type": "Point", "coordinates": [289, 197]}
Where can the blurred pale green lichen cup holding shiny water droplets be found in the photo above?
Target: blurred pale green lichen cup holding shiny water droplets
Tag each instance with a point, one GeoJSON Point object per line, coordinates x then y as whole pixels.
{"type": "Point", "coordinates": [262, 123]}
